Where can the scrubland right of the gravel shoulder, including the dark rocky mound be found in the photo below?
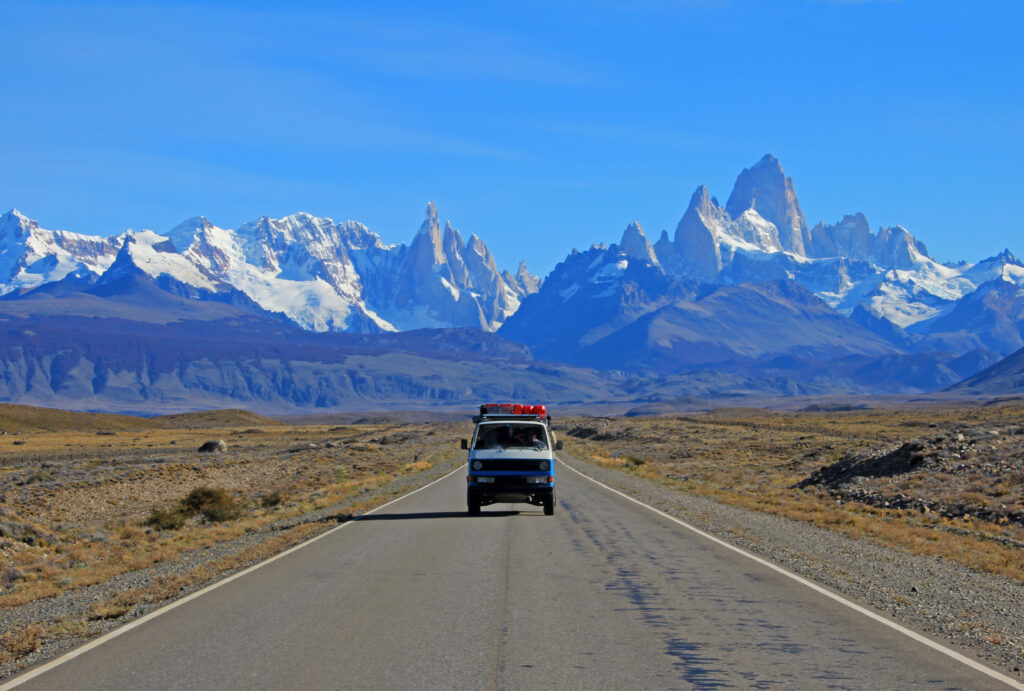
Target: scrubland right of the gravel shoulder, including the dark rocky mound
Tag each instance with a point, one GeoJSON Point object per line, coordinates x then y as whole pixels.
{"type": "Point", "coordinates": [948, 483]}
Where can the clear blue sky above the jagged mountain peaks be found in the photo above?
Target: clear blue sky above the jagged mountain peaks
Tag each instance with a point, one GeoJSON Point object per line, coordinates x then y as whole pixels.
{"type": "Point", "coordinates": [540, 126]}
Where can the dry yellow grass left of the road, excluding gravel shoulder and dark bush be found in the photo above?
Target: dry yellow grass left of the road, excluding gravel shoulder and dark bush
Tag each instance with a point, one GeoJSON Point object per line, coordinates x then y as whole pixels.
{"type": "Point", "coordinates": [87, 496]}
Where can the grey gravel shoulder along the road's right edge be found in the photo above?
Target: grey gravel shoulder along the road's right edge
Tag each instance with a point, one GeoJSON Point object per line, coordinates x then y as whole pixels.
{"type": "Point", "coordinates": [977, 614]}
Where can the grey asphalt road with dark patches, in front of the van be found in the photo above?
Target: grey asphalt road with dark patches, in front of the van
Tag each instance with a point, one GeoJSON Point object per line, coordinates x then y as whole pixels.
{"type": "Point", "coordinates": [605, 594]}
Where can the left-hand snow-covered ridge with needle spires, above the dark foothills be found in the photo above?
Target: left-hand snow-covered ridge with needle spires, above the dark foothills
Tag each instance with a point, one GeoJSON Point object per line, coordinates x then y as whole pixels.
{"type": "Point", "coordinates": [320, 275]}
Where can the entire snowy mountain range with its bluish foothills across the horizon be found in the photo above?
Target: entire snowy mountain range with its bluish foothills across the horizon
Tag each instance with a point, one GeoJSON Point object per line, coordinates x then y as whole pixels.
{"type": "Point", "coordinates": [745, 297]}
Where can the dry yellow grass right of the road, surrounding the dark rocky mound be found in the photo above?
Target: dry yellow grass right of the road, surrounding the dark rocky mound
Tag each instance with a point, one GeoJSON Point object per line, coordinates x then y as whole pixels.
{"type": "Point", "coordinates": [754, 460]}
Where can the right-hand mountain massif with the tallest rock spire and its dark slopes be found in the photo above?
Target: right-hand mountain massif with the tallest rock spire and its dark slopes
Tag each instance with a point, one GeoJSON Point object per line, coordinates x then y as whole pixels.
{"type": "Point", "coordinates": [751, 286]}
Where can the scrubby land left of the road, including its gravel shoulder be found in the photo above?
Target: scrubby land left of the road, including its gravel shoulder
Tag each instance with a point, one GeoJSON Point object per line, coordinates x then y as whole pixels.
{"type": "Point", "coordinates": [130, 506]}
